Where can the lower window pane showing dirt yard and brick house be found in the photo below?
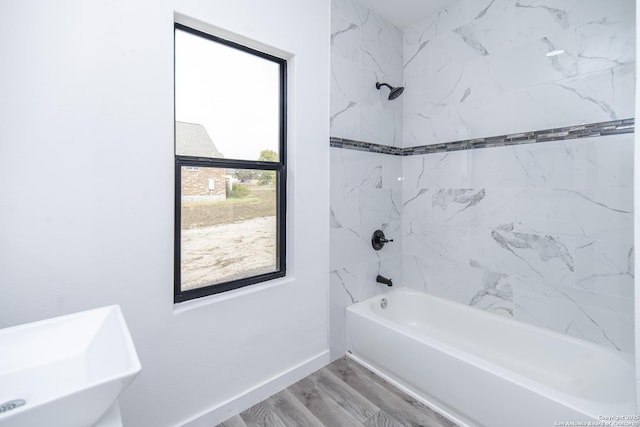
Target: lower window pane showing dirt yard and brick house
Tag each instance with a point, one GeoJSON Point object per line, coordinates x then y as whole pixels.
{"type": "Point", "coordinates": [228, 225]}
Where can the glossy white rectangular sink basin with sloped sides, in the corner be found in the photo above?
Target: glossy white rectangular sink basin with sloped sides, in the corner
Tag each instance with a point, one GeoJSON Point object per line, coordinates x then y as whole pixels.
{"type": "Point", "coordinates": [66, 371]}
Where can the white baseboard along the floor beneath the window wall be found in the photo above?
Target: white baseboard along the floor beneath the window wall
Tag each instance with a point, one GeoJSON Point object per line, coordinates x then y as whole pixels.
{"type": "Point", "coordinates": [256, 394]}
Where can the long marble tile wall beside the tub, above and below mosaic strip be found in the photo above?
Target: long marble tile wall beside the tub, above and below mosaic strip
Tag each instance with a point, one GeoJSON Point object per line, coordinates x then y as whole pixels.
{"type": "Point", "coordinates": [538, 232]}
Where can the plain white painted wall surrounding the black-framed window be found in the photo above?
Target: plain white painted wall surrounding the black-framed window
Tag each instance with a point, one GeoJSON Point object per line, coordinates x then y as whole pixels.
{"type": "Point", "coordinates": [86, 185]}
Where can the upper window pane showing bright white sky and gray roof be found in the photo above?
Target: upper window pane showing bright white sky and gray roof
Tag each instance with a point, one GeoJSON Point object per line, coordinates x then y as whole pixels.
{"type": "Point", "coordinates": [234, 96]}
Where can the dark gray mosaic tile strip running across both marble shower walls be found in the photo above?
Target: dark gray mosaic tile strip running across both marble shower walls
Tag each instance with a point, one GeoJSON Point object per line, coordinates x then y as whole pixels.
{"type": "Point", "coordinates": [613, 127]}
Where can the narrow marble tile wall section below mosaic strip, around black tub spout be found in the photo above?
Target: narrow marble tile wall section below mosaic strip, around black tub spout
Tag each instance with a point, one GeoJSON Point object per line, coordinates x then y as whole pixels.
{"type": "Point", "coordinates": [366, 195]}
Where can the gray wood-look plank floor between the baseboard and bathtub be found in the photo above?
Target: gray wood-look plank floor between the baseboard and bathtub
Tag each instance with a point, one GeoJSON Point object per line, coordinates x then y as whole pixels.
{"type": "Point", "coordinates": [342, 394]}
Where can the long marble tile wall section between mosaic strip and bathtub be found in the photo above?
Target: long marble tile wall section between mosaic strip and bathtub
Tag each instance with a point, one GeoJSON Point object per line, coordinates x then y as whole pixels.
{"type": "Point", "coordinates": [542, 233]}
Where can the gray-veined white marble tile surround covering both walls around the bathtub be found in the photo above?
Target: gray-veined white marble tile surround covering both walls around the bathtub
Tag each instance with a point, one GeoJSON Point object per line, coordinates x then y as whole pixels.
{"type": "Point", "coordinates": [541, 232]}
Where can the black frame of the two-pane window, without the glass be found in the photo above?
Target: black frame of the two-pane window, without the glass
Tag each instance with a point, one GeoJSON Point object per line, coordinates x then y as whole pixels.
{"type": "Point", "coordinates": [281, 184]}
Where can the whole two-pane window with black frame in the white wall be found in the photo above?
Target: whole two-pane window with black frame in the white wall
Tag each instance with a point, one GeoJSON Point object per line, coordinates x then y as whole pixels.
{"type": "Point", "coordinates": [230, 157]}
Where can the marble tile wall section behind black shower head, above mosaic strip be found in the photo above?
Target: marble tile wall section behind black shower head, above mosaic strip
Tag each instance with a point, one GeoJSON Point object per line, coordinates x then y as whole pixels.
{"type": "Point", "coordinates": [365, 49]}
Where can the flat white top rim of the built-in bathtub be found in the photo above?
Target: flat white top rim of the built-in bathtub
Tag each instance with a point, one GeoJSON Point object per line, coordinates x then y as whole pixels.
{"type": "Point", "coordinates": [591, 408]}
